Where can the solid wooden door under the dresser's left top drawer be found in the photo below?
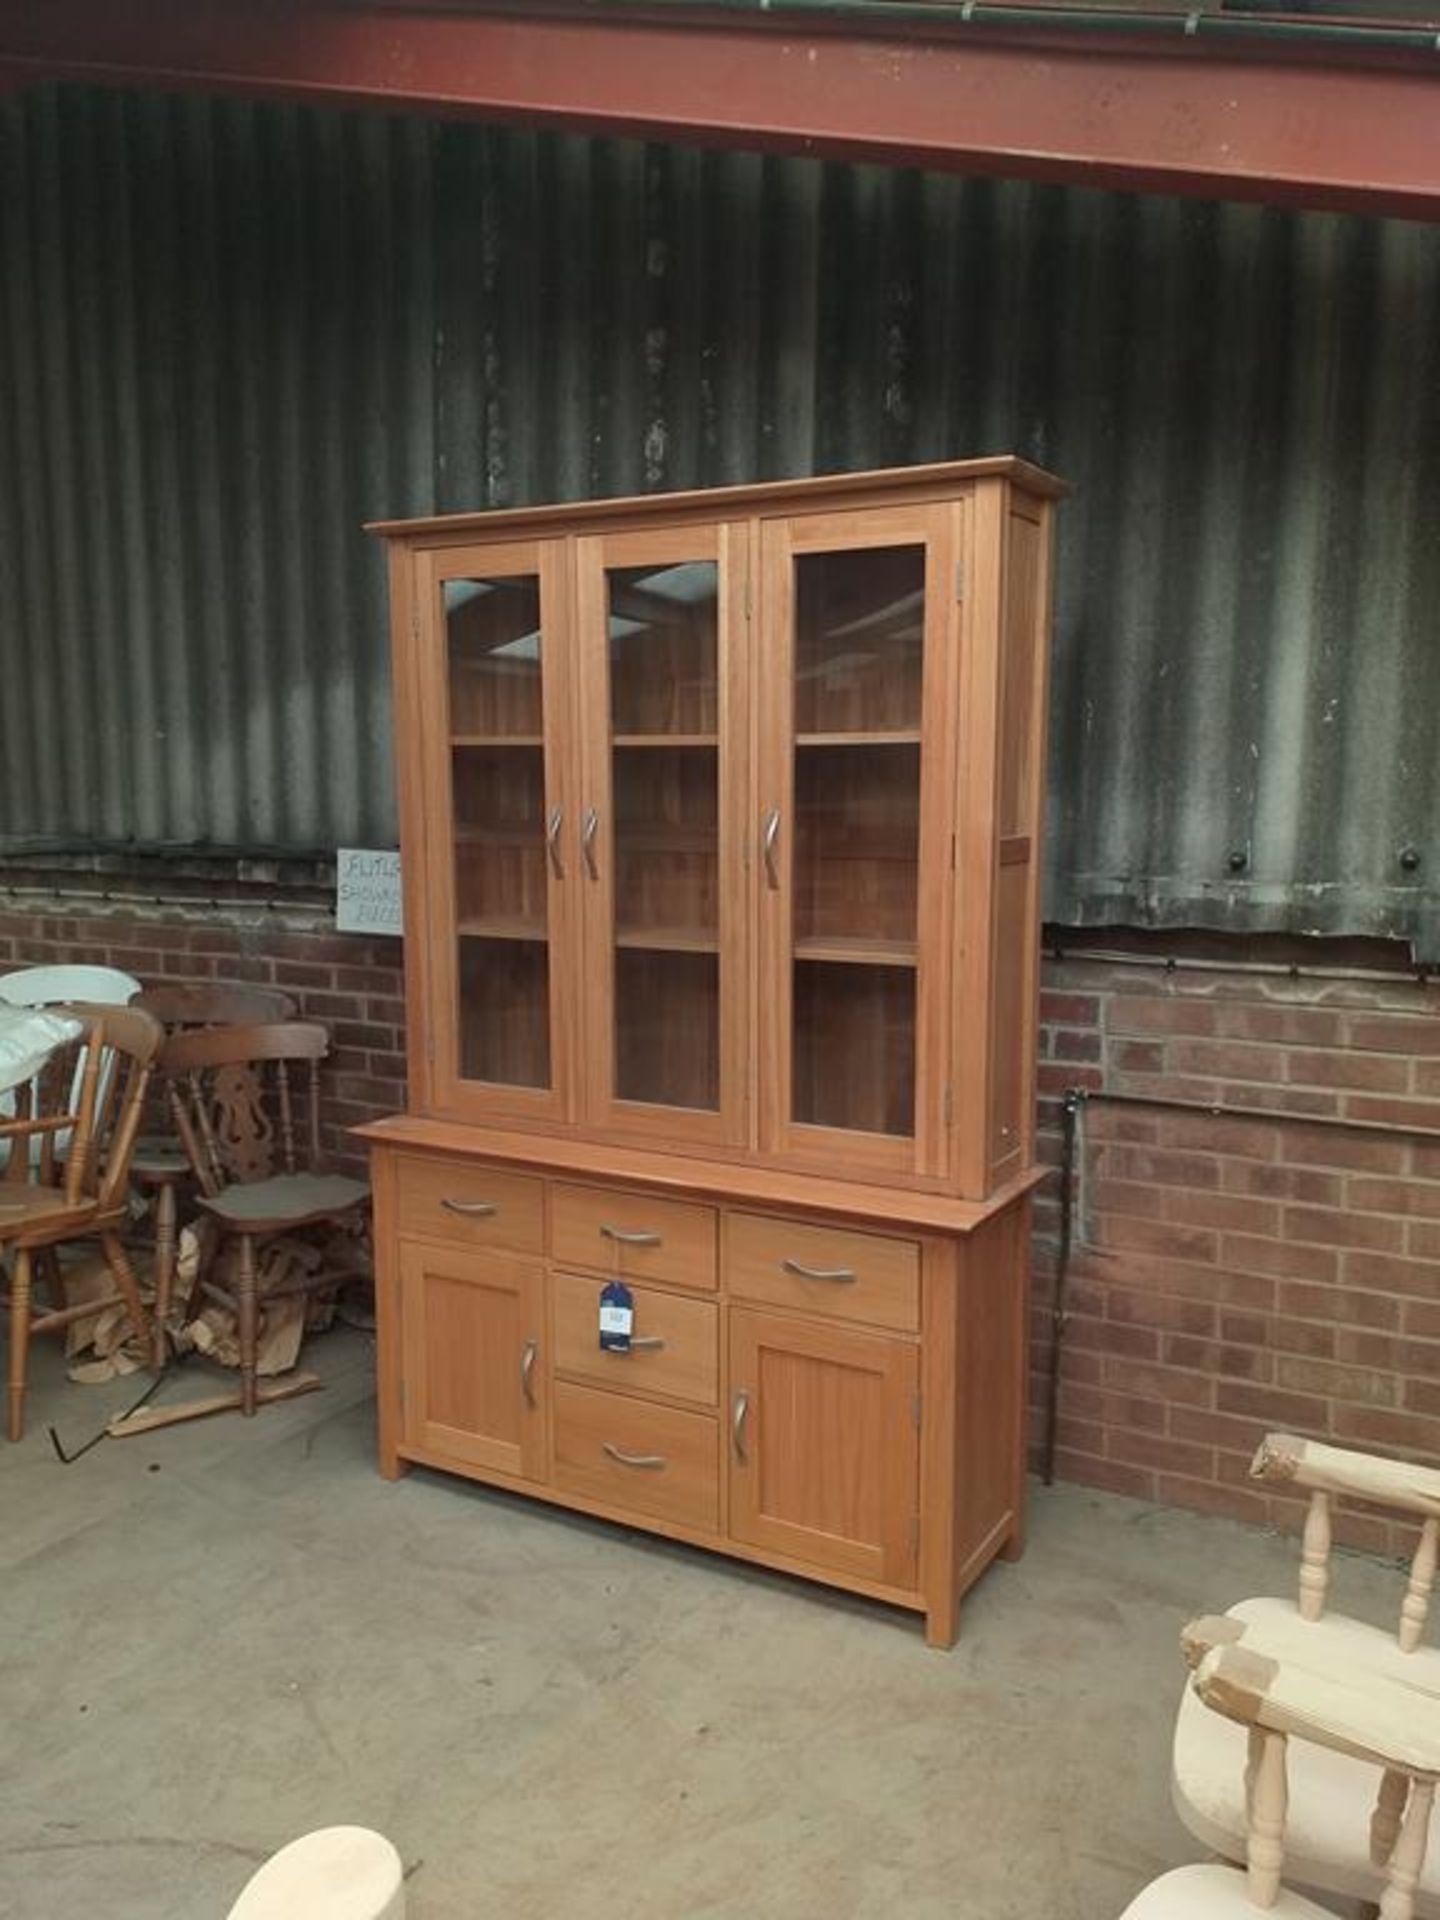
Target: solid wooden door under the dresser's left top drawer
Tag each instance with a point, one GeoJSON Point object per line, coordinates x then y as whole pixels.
{"type": "Point", "coordinates": [475, 1378]}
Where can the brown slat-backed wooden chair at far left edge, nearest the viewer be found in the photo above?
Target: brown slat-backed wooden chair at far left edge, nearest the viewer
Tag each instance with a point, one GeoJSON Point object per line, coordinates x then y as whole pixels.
{"type": "Point", "coordinates": [95, 1109]}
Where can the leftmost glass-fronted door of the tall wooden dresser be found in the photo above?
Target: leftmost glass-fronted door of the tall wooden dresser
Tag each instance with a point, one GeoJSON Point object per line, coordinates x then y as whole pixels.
{"type": "Point", "coordinates": [498, 850]}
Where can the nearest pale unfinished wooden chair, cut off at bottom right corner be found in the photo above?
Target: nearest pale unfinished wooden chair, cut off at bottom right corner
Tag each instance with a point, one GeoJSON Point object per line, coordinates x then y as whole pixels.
{"type": "Point", "coordinates": [1280, 1710]}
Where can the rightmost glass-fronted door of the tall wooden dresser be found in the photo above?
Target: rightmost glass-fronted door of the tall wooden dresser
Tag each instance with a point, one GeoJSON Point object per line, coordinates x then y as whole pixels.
{"type": "Point", "coordinates": [855, 838]}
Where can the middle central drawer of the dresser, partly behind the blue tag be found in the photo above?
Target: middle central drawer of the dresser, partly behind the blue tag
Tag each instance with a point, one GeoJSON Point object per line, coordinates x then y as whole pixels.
{"type": "Point", "coordinates": [683, 1362]}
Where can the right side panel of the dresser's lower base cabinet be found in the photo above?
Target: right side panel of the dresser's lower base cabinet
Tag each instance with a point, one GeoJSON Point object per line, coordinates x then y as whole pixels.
{"type": "Point", "coordinates": [990, 1422]}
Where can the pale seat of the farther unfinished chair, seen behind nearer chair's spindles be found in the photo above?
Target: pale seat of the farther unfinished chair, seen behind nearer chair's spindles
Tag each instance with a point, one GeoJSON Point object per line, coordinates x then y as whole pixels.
{"type": "Point", "coordinates": [1332, 1796]}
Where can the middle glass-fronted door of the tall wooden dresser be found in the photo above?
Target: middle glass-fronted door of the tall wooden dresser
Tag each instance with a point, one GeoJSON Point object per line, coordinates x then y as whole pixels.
{"type": "Point", "coordinates": [661, 660]}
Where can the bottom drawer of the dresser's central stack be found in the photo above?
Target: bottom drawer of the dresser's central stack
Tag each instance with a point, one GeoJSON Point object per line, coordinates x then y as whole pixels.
{"type": "Point", "coordinates": [638, 1456]}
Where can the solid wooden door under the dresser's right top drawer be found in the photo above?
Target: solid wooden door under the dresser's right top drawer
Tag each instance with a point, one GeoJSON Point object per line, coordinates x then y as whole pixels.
{"type": "Point", "coordinates": [825, 1447]}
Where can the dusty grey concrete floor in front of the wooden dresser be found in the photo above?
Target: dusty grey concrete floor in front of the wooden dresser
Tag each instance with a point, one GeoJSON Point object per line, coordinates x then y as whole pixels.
{"type": "Point", "coordinates": [229, 1633]}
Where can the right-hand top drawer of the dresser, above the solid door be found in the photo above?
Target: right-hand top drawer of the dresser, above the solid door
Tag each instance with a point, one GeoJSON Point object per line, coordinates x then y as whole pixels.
{"type": "Point", "coordinates": [848, 1276]}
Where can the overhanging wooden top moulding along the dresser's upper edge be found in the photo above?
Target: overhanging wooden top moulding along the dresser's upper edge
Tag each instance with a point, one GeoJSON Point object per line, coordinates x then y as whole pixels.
{"type": "Point", "coordinates": [732, 502]}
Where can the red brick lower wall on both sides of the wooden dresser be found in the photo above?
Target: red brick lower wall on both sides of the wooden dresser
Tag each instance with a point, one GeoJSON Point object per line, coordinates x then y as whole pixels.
{"type": "Point", "coordinates": [1228, 1276]}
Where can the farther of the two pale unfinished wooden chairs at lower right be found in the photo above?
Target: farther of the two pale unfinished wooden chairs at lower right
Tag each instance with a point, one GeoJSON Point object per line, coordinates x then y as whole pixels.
{"type": "Point", "coordinates": [1333, 1823]}
